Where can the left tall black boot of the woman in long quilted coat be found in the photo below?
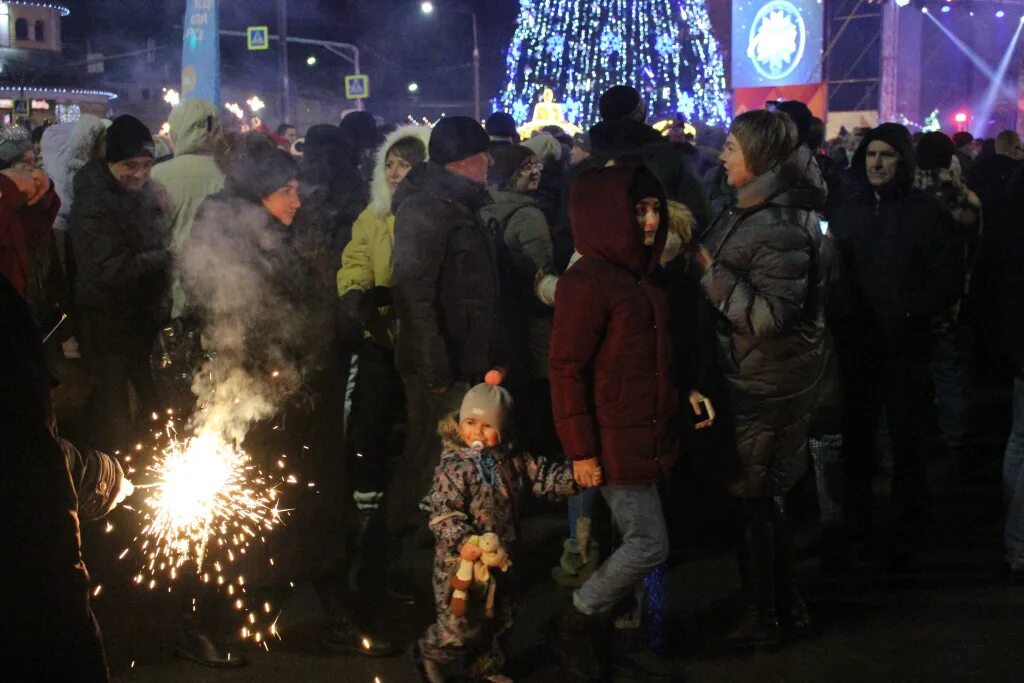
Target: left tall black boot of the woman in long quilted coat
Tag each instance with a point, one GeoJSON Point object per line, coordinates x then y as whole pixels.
{"type": "Point", "coordinates": [759, 626]}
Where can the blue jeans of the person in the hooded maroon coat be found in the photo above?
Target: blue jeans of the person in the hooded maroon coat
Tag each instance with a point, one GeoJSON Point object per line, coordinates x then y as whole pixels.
{"type": "Point", "coordinates": [636, 513]}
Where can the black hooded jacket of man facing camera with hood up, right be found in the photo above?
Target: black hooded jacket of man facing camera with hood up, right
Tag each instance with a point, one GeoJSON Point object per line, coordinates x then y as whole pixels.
{"type": "Point", "coordinates": [903, 259]}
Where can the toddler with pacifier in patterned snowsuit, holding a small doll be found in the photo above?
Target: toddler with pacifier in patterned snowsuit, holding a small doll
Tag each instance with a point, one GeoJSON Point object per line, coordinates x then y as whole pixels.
{"type": "Point", "coordinates": [475, 505]}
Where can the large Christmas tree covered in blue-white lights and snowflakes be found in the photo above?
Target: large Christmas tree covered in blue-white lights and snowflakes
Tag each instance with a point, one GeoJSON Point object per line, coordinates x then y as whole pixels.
{"type": "Point", "coordinates": [579, 49]}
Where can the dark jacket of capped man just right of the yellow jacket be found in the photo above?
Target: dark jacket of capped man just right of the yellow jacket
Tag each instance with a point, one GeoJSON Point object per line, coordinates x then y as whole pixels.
{"type": "Point", "coordinates": [446, 278]}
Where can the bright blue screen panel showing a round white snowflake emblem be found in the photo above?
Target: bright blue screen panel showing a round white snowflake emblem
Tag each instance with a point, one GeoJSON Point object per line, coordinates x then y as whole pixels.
{"type": "Point", "coordinates": [777, 42]}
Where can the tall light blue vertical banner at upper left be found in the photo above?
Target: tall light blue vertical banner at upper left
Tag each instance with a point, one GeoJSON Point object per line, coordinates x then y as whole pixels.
{"type": "Point", "coordinates": [201, 52]}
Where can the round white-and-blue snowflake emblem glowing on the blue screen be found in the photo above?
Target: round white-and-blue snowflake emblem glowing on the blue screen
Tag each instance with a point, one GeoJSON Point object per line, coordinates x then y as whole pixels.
{"type": "Point", "coordinates": [778, 39]}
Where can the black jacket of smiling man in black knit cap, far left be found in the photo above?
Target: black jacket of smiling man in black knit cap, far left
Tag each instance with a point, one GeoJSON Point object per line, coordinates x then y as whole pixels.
{"type": "Point", "coordinates": [120, 241]}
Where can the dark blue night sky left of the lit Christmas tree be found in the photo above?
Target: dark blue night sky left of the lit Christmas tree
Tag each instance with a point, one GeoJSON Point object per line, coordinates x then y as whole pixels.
{"type": "Point", "coordinates": [399, 45]}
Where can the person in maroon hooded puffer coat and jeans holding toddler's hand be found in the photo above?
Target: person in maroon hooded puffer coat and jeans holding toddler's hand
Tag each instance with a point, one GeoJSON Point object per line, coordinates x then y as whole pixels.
{"type": "Point", "coordinates": [612, 388]}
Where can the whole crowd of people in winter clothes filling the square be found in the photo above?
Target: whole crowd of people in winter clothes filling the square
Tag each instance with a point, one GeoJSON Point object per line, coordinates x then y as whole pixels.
{"type": "Point", "coordinates": [460, 317]}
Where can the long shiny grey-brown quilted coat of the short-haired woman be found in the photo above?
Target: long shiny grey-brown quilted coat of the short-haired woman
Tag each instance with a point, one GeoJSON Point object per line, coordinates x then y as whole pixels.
{"type": "Point", "coordinates": [766, 283]}
